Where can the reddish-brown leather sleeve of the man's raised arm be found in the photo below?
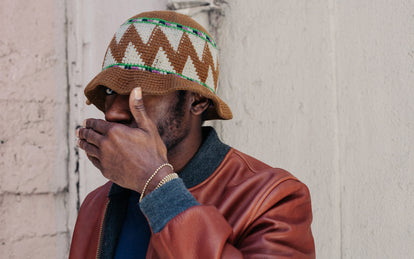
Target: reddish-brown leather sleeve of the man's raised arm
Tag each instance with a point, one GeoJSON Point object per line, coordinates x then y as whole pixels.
{"type": "Point", "coordinates": [277, 227]}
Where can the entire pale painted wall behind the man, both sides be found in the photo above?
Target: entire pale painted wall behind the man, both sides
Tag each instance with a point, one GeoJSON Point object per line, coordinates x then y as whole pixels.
{"type": "Point", "coordinates": [320, 88]}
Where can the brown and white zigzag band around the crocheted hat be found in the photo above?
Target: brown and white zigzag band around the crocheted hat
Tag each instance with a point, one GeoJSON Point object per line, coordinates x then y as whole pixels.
{"type": "Point", "coordinates": [163, 47]}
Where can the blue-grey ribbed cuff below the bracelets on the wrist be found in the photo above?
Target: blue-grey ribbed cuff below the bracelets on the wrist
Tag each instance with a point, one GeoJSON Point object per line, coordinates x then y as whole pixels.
{"type": "Point", "coordinates": [166, 202]}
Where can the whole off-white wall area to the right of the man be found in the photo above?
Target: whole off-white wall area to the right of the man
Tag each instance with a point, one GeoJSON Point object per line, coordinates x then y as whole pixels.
{"type": "Point", "coordinates": [324, 90]}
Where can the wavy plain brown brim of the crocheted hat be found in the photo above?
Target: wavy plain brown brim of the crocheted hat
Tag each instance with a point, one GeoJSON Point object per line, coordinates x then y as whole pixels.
{"type": "Point", "coordinates": [122, 81]}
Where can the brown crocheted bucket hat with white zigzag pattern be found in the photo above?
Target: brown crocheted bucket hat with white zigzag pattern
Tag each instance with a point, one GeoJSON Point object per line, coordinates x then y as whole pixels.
{"type": "Point", "coordinates": [160, 51]}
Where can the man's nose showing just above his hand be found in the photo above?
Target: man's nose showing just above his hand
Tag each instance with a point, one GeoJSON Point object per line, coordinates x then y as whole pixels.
{"type": "Point", "coordinates": [117, 109]}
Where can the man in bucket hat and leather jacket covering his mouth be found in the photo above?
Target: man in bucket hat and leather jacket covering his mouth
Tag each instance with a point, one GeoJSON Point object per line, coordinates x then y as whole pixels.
{"type": "Point", "coordinates": [175, 190]}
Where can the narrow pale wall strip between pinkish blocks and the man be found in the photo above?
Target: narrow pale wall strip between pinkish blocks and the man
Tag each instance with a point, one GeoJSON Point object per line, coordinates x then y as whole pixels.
{"type": "Point", "coordinates": [91, 26]}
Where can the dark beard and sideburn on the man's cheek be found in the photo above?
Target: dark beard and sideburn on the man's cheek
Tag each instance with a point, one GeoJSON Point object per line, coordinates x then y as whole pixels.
{"type": "Point", "coordinates": [171, 128]}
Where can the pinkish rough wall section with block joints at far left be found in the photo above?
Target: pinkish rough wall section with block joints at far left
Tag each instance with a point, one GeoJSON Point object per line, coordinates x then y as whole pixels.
{"type": "Point", "coordinates": [33, 149]}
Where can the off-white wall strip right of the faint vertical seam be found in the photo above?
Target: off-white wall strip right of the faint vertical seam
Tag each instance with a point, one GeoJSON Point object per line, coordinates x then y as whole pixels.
{"type": "Point", "coordinates": [375, 79]}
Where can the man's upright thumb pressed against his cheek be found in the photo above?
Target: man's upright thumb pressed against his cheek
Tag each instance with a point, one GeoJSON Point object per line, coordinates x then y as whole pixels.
{"type": "Point", "coordinates": [136, 105]}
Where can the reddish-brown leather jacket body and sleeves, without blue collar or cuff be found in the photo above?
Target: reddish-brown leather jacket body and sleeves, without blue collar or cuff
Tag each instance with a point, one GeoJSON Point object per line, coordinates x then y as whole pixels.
{"type": "Point", "coordinates": [248, 210]}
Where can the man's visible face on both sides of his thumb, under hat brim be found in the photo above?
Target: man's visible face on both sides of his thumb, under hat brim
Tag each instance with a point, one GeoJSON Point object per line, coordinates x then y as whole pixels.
{"type": "Point", "coordinates": [170, 113]}
